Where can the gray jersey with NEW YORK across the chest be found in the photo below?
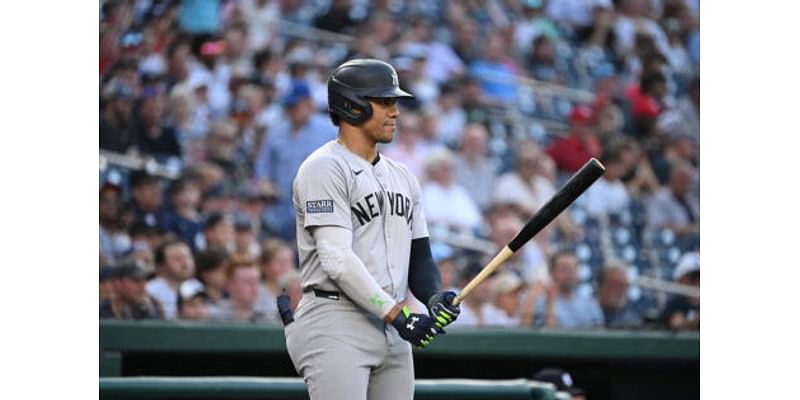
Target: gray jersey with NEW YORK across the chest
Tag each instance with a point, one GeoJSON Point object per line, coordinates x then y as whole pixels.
{"type": "Point", "coordinates": [379, 203]}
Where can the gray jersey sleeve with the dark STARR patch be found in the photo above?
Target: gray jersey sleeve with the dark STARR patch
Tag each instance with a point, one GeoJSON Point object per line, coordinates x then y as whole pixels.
{"type": "Point", "coordinates": [321, 194]}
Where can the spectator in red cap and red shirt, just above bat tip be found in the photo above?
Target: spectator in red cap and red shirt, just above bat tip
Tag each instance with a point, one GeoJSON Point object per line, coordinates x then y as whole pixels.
{"type": "Point", "coordinates": [571, 152]}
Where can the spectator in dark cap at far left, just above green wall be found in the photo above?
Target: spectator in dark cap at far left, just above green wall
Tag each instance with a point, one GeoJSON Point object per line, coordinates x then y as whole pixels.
{"type": "Point", "coordinates": [129, 299]}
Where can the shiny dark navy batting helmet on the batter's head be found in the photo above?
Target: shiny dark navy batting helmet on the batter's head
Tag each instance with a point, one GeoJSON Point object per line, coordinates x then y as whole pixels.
{"type": "Point", "coordinates": [352, 83]}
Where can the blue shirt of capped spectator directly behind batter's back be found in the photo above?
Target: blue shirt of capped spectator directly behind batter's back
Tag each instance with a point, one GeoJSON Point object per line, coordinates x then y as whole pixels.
{"type": "Point", "coordinates": [279, 159]}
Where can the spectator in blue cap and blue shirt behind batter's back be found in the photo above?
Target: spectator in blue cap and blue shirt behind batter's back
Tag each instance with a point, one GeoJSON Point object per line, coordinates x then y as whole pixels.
{"type": "Point", "coordinates": [285, 148]}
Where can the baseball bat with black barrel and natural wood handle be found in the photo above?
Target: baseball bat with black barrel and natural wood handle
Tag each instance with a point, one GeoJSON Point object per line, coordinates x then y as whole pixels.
{"type": "Point", "coordinates": [576, 185]}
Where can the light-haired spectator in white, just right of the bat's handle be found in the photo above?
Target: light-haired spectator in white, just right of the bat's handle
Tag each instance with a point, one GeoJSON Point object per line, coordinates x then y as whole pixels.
{"type": "Point", "coordinates": [503, 308]}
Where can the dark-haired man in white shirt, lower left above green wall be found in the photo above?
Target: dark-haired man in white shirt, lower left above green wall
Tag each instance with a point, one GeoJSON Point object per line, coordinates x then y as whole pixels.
{"type": "Point", "coordinates": [174, 265]}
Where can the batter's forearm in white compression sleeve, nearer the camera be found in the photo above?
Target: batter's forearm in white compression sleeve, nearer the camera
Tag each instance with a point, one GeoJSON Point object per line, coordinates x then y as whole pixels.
{"type": "Point", "coordinates": [344, 267]}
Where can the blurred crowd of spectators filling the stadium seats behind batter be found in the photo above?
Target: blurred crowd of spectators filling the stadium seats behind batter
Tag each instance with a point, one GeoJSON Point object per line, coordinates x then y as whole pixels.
{"type": "Point", "coordinates": [208, 107]}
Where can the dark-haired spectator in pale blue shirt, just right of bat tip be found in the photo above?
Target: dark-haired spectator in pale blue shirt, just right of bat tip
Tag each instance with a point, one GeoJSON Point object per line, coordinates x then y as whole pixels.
{"type": "Point", "coordinates": [608, 194]}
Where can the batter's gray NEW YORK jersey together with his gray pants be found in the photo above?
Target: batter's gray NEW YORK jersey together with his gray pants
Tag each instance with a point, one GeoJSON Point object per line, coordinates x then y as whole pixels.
{"type": "Point", "coordinates": [341, 350]}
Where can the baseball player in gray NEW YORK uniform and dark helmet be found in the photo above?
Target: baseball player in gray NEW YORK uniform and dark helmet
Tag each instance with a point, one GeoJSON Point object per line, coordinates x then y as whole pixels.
{"type": "Point", "coordinates": [362, 241]}
